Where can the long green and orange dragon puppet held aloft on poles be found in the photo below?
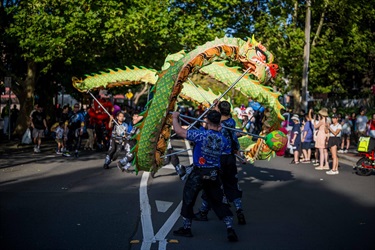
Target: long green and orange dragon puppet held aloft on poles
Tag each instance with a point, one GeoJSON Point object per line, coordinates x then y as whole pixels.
{"type": "Point", "coordinates": [172, 82]}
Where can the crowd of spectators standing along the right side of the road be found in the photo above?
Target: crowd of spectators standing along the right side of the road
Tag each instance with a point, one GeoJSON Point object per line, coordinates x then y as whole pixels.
{"type": "Point", "coordinates": [328, 133]}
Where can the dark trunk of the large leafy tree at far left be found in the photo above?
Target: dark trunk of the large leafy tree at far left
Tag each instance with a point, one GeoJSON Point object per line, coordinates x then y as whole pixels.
{"type": "Point", "coordinates": [25, 94]}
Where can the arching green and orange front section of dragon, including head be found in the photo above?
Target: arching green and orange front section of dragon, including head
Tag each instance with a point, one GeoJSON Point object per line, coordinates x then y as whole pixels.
{"type": "Point", "coordinates": [152, 140]}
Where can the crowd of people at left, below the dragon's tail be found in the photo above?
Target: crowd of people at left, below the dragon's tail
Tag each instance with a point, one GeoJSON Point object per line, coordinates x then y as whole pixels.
{"type": "Point", "coordinates": [77, 127]}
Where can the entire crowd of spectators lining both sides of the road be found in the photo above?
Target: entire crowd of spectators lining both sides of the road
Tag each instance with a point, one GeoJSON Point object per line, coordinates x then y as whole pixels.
{"type": "Point", "coordinates": [309, 134]}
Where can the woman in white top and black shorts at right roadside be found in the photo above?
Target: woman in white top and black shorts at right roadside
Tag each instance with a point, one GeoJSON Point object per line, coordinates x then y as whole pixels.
{"type": "Point", "coordinates": [333, 143]}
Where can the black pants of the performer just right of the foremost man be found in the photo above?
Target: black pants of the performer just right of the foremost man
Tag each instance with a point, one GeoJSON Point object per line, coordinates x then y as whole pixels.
{"type": "Point", "coordinates": [229, 177]}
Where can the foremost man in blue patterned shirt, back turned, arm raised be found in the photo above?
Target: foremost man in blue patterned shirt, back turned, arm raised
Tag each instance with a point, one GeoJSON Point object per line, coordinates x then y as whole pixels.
{"type": "Point", "coordinates": [209, 146]}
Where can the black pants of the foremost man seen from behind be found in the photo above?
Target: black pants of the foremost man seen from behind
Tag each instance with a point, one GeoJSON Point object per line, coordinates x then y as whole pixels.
{"type": "Point", "coordinates": [199, 179]}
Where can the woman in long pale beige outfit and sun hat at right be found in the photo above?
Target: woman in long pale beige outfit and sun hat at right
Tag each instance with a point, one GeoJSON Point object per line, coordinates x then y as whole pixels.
{"type": "Point", "coordinates": [321, 139]}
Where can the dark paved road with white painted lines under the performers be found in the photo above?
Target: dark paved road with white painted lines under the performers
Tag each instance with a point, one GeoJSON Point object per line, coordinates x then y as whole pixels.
{"type": "Point", "coordinates": [66, 203]}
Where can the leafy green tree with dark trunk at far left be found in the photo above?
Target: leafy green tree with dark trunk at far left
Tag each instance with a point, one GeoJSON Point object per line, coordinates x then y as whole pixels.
{"type": "Point", "coordinates": [44, 33]}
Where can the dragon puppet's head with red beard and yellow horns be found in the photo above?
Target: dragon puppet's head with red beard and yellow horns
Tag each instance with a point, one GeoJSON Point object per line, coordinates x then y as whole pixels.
{"type": "Point", "coordinates": [254, 55]}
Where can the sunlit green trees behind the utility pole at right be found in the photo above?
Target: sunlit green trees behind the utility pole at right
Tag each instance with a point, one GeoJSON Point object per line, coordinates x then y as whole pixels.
{"type": "Point", "coordinates": [342, 49]}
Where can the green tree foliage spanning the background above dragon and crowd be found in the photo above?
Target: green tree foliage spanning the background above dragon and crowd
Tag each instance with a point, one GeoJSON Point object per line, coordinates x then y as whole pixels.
{"type": "Point", "coordinates": [74, 37]}
